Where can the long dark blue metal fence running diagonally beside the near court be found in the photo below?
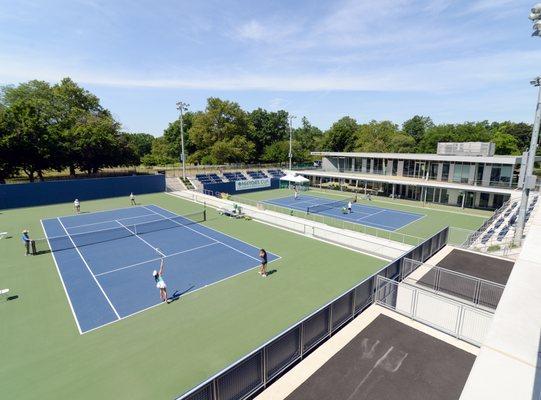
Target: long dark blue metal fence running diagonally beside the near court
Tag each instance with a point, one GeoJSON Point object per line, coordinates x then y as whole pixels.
{"type": "Point", "coordinates": [256, 370]}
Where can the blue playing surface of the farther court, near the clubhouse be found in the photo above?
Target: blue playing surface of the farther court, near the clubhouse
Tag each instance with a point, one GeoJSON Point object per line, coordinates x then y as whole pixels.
{"type": "Point", "coordinates": [374, 216]}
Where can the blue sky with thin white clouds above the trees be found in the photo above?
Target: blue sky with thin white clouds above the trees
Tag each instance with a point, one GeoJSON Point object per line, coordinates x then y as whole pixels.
{"type": "Point", "coordinates": [452, 60]}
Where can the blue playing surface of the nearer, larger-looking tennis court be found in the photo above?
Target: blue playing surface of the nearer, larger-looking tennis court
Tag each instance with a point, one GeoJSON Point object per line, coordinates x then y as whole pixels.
{"type": "Point", "coordinates": [105, 259]}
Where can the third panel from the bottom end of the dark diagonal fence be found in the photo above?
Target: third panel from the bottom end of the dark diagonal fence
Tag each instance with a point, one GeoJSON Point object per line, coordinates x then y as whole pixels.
{"type": "Point", "coordinates": [283, 351]}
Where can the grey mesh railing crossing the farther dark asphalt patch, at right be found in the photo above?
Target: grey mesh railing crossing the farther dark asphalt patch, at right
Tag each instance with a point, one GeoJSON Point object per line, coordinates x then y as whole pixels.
{"type": "Point", "coordinates": [477, 291]}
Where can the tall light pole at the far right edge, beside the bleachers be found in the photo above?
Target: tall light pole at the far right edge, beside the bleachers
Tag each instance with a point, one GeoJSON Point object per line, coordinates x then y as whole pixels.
{"type": "Point", "coordinates": [528, 177]}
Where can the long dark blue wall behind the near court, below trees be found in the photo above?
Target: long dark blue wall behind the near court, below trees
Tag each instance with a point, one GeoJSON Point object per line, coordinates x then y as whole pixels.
{"type": "Point", "coordinates": [51, 192]}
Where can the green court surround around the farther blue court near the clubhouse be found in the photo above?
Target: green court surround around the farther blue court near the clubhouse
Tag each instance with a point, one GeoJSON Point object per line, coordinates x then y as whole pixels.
{"type": "Point", "coordinates": [437, 217]}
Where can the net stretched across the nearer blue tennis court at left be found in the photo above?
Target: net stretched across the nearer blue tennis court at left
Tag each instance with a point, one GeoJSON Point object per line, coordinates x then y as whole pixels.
{"type": "Point", "coordinates": [58, 243]}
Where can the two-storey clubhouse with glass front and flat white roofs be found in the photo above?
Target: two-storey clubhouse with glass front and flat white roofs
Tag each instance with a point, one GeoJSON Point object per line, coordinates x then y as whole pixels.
{"type": "Point", "coordinates": [460, 174]}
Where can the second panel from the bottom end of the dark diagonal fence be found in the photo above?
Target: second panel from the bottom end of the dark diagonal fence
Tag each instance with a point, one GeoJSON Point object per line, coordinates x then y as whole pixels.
{"type": "Point", "coordinates": [242, 380]}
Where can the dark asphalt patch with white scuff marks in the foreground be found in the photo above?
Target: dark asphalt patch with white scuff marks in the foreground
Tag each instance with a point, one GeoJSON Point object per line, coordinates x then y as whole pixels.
{"type": "Point", "coordinates": [389, 360]}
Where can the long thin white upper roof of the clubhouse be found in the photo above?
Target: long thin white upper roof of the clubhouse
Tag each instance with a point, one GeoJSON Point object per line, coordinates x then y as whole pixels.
{"type": "Point", "coordinates": [510, 159]}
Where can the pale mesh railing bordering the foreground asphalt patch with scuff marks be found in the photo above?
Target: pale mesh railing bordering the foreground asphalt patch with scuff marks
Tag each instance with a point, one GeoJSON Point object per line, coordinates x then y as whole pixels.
{"type": "Point", "coordinates": [463, 321]}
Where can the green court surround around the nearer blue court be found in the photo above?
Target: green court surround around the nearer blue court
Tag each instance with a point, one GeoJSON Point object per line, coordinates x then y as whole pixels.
{"type": "Point", "coordinates": [168, 349]}
